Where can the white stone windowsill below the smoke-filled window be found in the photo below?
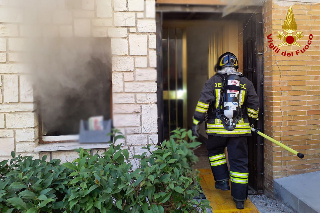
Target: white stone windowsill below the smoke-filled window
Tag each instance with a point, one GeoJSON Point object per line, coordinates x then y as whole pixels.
{"type": "Point", "coordinates": [52, 147]}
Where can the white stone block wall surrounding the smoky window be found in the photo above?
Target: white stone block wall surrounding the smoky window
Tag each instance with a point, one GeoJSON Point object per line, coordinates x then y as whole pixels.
{"type": "Point", "coordinates": [131, 26]}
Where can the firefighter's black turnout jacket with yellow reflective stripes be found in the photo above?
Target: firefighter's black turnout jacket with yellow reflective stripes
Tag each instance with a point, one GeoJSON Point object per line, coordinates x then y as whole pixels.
{"type": "Point", "coordinates": [209, 101]}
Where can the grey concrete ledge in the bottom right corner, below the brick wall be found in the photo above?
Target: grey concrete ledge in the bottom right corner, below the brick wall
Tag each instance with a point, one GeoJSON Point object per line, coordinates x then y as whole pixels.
{"type": "Point", "coordinates": [300, 192]}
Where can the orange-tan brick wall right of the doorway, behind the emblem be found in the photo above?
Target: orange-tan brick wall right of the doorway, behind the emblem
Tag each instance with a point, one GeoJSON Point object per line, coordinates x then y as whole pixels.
{"type": "Point", "coordinates": [292, 93]}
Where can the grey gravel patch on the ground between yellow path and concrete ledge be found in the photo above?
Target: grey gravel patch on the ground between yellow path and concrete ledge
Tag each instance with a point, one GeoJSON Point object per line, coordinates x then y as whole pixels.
{"type": "Point", "coordinates": [268, 205]}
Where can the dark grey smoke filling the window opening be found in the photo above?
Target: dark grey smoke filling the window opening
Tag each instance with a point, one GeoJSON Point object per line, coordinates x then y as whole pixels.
{"type": "Point", "coordinates": [72, 81]}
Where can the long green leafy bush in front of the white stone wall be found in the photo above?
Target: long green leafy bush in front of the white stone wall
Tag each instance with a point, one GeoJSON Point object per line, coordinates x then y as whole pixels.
{"type": "Point", "coordinates": [163, 181]}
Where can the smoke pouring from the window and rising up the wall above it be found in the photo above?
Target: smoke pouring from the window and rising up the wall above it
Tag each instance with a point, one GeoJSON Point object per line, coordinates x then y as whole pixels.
{"type": "Point", "coordinates": [70, 70]}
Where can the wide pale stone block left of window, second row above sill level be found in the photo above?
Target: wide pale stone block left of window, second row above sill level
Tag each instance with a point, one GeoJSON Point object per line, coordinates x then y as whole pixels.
{"type": "Point", "coordinates": [20, 120]}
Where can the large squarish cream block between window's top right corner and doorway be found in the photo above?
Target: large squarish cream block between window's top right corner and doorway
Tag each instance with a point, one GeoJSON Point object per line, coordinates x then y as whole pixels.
{"type": "Point", "coordinates": [138, 44]}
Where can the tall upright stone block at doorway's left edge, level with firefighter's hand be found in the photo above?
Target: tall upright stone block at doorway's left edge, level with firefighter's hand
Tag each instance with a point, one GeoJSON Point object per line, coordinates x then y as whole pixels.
{"type": "Point", "coordinates": [149, 118]}
